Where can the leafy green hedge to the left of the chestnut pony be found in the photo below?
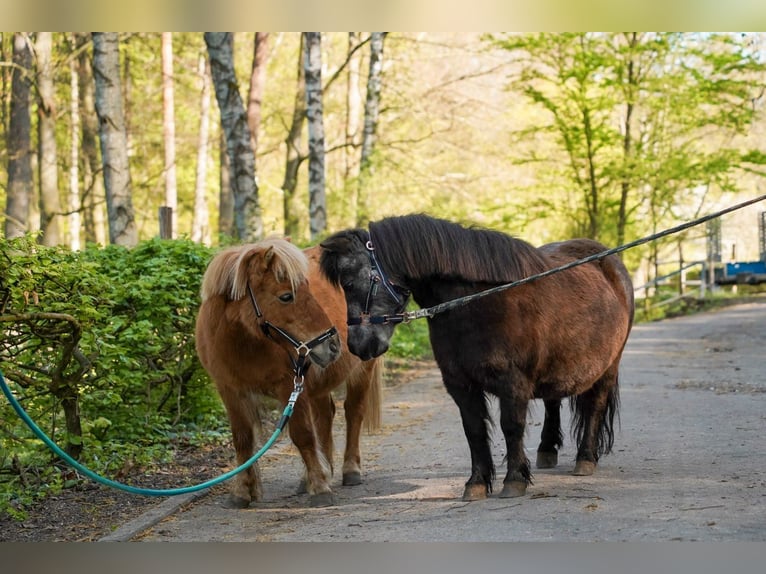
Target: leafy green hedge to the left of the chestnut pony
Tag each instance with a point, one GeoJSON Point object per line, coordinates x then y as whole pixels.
{"type": "Point", "coordinates": [133, 371]}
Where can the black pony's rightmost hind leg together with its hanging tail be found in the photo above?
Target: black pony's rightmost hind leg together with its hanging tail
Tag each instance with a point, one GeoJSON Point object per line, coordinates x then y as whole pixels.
{"type": "Point", "coordinates": [593, 421]}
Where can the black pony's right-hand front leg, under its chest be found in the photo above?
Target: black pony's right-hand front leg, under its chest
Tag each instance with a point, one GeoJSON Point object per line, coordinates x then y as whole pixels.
{"type": "Point", "coordinates": [513, 416]}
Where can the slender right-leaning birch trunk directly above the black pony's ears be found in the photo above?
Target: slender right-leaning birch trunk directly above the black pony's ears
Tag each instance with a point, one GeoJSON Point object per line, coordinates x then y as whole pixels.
{"type": "Point", "coordinates": [369, 133]}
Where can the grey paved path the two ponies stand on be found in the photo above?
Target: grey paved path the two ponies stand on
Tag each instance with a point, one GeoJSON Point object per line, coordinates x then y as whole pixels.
{"type": "Point", "coordinates": [689, 464]}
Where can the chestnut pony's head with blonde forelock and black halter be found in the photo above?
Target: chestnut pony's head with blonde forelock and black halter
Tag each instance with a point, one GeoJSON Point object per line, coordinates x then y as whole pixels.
{"type": "Point", "coordinates": [268, 283]}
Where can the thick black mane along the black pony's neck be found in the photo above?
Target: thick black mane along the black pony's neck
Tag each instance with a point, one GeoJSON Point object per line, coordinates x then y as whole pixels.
{"type": "Point", "coordinates": [419, 246]}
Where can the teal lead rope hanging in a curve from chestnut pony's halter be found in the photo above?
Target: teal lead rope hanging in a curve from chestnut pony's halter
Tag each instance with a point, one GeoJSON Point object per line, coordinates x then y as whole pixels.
{"type": "Point", "coordinates": [152, 491]}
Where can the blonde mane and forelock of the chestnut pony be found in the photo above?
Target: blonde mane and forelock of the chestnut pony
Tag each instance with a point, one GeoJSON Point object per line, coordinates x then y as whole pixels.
{"type": "Point", "coordinates": [227, 272]}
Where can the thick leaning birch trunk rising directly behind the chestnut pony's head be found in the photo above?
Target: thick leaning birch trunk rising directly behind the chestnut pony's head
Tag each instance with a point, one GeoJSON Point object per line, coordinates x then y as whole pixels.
{"type": "Point", "coordinates": [247, 210]}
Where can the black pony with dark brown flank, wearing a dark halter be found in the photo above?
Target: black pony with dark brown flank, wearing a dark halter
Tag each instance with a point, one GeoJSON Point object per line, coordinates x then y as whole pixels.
{"type": "Point", "coordinates": [561, 336]}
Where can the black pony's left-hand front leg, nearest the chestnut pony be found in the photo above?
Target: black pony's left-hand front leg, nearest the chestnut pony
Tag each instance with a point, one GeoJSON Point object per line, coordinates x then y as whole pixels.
{"type": "Point", "coordinates": [473, 412]}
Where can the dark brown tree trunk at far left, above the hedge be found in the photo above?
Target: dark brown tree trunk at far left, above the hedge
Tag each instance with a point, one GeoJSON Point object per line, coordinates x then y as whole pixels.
{"type": "Point", "coordinates": [19, 141]}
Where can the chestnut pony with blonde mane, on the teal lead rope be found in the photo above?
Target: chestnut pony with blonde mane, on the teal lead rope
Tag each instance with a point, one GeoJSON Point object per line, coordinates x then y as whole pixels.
{"type": "Point", "coordinates": [256, 298]}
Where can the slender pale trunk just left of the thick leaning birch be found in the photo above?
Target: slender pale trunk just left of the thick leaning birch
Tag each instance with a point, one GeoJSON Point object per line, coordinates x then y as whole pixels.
{"type": "Point", "coordinates": [201, 220]}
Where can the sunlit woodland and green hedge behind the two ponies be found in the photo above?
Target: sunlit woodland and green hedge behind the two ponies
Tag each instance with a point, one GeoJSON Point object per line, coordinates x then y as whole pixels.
{"type": "Point", "coordinates": [545, 136]}
